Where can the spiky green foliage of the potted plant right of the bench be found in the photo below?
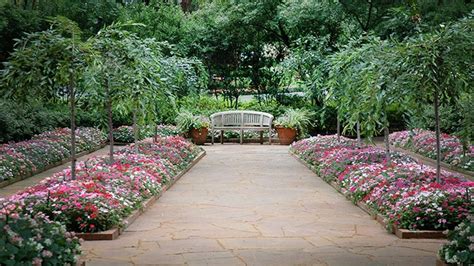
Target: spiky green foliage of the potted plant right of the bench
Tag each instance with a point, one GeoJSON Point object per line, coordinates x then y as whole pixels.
{"type": "Point", "coordinates": [299, 119]}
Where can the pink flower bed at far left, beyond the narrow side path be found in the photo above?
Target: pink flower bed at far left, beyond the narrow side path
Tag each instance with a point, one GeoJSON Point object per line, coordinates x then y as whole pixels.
{"type": "Point", "coordinates": [28, 157]}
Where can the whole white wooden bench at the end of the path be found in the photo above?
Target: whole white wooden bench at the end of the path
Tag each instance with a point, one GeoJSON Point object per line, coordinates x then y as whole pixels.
{"type": "Point", "coordinates": [242, 120]}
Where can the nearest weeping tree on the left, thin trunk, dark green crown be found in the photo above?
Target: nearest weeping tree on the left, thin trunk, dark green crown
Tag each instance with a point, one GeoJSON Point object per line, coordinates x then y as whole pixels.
{"type": "Point", "coordinates": [50, 65]}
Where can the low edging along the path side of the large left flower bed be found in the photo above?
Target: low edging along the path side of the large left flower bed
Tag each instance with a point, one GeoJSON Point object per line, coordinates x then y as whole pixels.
{"type": "Point", "coordinates": [114, 233]}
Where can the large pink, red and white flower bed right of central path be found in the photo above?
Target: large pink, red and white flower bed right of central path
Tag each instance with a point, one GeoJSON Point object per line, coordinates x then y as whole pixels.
{"type": "Point", "coordinates": [403, 191]}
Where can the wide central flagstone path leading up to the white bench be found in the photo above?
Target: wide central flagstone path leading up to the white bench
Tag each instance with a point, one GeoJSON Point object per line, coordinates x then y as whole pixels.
{"type": "Point", "coordinates": [256, 205]}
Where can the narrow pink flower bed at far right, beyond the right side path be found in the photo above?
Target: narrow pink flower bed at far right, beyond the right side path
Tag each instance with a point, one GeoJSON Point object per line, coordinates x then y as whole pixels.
{"type": "Point", "coordinates": [424, 142]}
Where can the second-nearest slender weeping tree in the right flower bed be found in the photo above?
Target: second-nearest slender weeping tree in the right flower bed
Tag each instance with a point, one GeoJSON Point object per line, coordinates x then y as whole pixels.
{"type": "Point", "coordinates": [374, 89]}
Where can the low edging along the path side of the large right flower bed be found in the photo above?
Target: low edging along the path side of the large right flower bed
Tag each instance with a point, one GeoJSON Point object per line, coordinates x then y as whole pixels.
{"type": "Point", "coordinates": [400, 233]}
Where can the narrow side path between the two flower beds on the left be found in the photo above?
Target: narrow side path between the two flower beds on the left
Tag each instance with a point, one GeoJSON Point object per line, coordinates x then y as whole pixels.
{"type": "Point", "coordinates": [30, 181]}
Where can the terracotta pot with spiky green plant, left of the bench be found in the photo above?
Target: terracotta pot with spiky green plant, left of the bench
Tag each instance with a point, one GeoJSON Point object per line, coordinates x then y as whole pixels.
{"type": "Point", "coordinates": [195, 125]}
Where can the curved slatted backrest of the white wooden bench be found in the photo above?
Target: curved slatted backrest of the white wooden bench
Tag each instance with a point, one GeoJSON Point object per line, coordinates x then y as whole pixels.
{"type": "Point", "coordinates": [241, 119]}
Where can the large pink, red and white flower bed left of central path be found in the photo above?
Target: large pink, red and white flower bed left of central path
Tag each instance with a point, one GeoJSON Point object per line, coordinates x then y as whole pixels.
{"type": "Point", "coordinates": [103, 194]}
